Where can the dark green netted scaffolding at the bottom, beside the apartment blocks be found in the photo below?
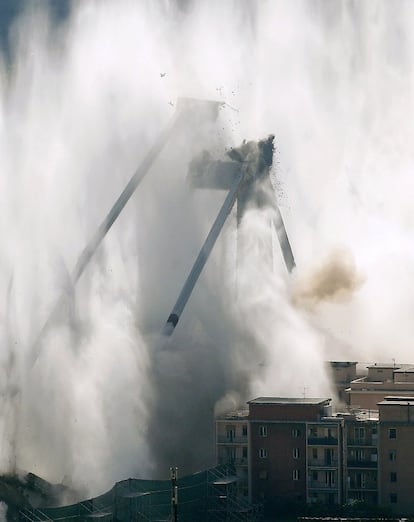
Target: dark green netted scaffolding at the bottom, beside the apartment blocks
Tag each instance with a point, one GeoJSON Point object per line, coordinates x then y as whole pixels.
{"type": "Point", "coordinates": [207, 496]}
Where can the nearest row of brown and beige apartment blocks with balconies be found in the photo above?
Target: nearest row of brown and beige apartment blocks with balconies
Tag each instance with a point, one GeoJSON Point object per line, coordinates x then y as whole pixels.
{"type": "Point", "coordinates": [299, 451]}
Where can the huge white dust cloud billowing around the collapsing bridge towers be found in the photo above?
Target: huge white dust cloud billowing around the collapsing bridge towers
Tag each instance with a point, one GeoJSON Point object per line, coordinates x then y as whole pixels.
{"type": "Point", "coordinates": [79, 107]}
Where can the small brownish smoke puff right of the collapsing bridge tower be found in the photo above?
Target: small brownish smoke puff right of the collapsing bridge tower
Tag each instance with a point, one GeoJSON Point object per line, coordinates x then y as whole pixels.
{"type": "Point", "coordinates": [334, 281]}
